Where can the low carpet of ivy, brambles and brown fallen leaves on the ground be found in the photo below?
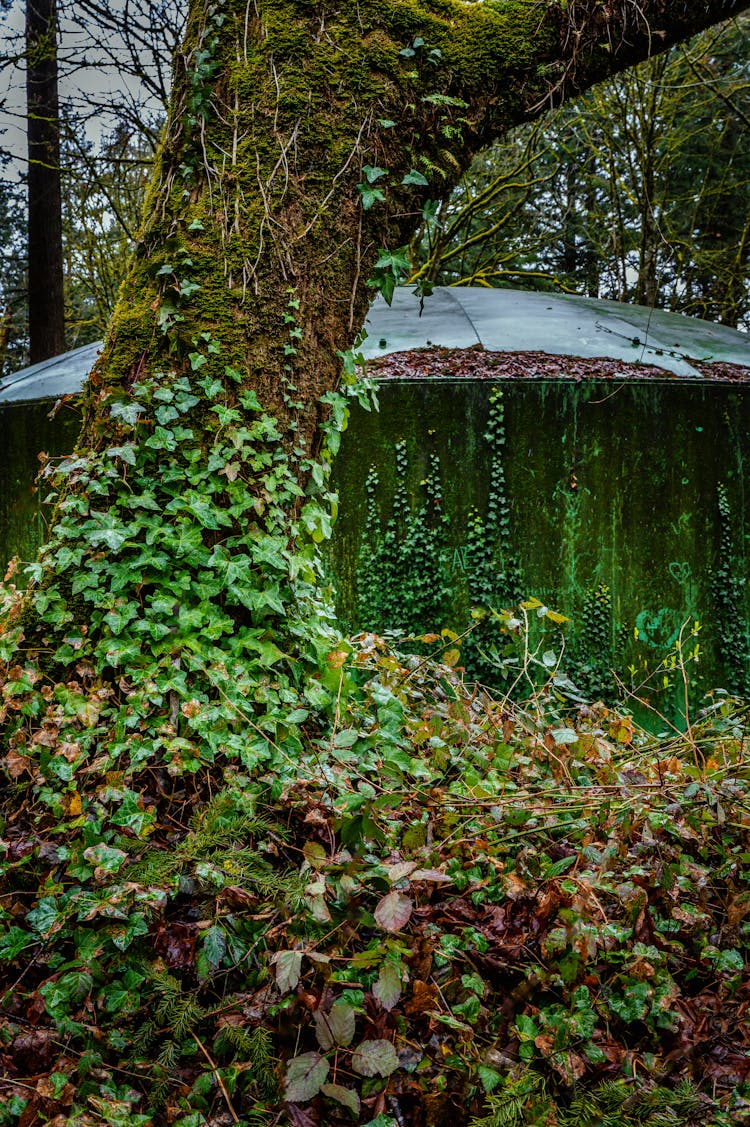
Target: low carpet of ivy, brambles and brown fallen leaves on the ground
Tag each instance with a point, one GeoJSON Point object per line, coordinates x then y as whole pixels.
{"type": "Point", "coordinates": [442, 909]}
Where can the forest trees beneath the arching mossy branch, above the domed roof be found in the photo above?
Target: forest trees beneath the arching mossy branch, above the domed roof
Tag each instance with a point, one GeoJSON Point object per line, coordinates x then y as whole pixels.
{"type": "Point", "coordinates": [636, 192]}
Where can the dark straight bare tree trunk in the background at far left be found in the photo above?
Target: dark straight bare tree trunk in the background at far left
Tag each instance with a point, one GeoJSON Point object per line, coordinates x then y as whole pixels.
{"type": "Point", "coordinates": [47, 321]}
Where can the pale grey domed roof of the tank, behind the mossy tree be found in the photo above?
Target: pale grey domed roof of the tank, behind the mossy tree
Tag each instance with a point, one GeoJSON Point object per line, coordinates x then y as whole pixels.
{"type": "Point", "coordinates": [500, 321]}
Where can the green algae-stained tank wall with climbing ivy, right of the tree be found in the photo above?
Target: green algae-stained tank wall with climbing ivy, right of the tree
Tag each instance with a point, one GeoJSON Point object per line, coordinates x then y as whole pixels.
{"type": "Point", "coordinates": [624, 510]}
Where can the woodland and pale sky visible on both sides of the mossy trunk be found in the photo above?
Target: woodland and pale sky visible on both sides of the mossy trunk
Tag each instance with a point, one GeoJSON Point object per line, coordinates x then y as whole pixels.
{"type": "Point", "coordinates": [639, 191]}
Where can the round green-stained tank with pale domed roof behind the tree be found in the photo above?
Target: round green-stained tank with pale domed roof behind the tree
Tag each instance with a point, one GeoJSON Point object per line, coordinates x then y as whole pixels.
{"type": "Point", "coordinates": [610, 490]}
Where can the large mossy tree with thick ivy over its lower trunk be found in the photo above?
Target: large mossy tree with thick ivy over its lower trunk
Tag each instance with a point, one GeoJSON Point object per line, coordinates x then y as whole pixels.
{"type": "Point", "coordinates": [174, 645]}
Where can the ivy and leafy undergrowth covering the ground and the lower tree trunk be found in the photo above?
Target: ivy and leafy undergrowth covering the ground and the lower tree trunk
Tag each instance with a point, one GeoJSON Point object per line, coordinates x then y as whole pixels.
{"type": "Point", "coordinates": [253, 873]}
